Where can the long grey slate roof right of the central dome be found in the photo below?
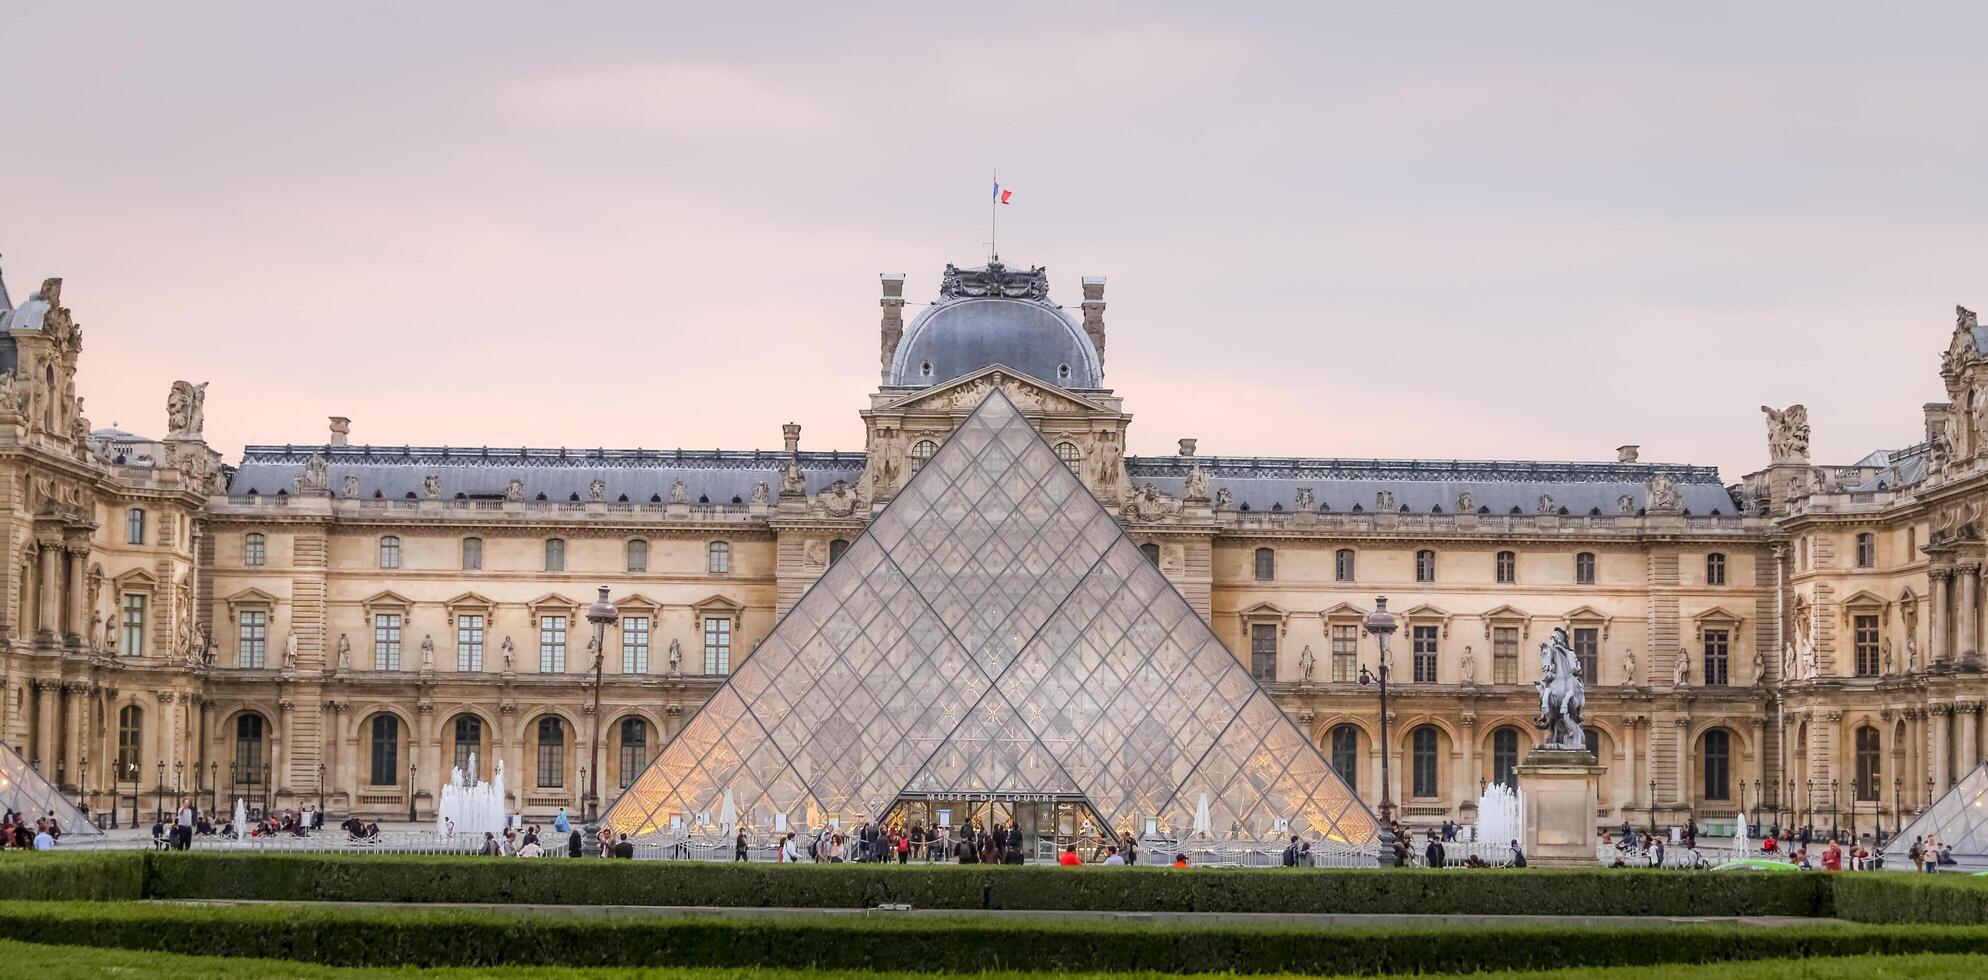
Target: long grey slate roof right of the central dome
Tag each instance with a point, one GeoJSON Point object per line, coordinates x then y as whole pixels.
{"type": "Point", "coordinates": [1420, 486]}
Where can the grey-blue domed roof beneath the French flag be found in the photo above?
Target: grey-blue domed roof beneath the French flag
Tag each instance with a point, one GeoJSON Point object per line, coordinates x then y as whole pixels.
{"type": "Point", "coordinates": [993, 317]}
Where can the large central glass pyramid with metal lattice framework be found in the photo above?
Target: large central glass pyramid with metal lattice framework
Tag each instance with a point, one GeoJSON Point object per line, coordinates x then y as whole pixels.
{"type": "Point", "coordinates": [995, 631]}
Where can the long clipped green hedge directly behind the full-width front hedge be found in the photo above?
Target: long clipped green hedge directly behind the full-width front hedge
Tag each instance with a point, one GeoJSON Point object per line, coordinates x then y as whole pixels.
{"type": "Point", "coordinates": [472, 880]}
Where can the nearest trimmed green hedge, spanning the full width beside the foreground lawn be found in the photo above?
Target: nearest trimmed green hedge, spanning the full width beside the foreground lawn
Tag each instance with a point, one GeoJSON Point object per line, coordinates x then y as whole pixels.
{"type": "Point", "coordinates": [345, 937]}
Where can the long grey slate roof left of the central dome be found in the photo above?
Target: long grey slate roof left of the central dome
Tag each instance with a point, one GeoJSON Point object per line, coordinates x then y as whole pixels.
{"type": "Point", "coordinates": [558, 474]}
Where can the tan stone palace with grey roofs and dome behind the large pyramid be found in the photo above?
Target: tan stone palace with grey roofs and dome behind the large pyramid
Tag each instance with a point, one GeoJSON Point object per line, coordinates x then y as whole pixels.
{"type": "Point", "coordinates": [339, 625]}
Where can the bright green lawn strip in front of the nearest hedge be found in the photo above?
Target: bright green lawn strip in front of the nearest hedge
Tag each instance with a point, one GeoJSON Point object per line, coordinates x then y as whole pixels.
{"type": "Point", "coordinates": [81, 963]}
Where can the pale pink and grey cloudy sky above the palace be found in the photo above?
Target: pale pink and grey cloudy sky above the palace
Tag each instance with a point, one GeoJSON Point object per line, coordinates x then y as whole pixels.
{"type": "Point", "coordinates": [1416, 230]}
